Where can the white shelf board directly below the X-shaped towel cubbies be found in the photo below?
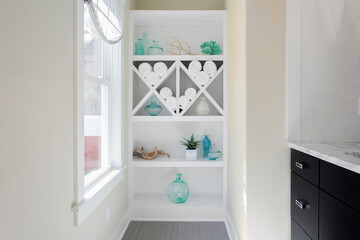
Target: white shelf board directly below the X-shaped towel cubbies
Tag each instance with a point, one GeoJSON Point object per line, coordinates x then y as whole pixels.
{"type": "Point", "coordinates": [177, 118]}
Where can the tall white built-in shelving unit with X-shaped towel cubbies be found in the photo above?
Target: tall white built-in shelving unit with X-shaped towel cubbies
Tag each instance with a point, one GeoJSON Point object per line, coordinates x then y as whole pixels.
{"type": "Point", "coordinates": [148, 179]}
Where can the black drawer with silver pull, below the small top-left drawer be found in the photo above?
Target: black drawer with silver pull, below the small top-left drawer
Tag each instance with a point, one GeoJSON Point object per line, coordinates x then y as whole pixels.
{"type": "Point", "coordinates": [304, 205]}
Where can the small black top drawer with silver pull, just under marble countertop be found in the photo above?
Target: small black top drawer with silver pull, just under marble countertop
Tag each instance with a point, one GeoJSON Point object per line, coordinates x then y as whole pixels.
{"type": "Point", "coordinates": [305, 165]}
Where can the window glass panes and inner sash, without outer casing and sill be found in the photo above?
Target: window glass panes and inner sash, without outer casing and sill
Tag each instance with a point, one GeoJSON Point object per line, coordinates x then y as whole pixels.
{"type": "Point", "coordinates": [97, 81]}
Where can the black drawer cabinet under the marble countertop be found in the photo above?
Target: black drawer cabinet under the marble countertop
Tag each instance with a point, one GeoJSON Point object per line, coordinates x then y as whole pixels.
{"type": "Point", "coordinates": [325, 200]}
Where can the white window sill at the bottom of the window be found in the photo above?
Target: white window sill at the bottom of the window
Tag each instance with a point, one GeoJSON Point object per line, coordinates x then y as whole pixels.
{"type": "Point", "coordinates": [96, 193]}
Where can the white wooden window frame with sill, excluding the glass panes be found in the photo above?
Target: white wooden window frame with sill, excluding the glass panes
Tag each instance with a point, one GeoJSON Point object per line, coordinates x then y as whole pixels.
{"type": "Point", "coordinates": [87, 198]}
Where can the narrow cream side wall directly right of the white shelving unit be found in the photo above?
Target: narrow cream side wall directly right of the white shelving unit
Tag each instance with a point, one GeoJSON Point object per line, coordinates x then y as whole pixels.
{"type": "Point", "coordinates": [237, 114]}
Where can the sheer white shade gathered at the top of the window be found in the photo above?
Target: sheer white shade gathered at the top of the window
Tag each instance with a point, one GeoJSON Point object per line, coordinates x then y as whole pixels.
{"type": "Point", "coordinates": [105, 16]}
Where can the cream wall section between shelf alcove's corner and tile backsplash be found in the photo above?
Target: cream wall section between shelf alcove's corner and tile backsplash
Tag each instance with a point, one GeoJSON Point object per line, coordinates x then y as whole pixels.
{"type": "Point", "coordinates": [267, 161]}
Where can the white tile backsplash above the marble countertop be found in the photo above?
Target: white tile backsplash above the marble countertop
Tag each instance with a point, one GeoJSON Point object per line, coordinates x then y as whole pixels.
{"type": "Point", "coordinates": [330, 70]}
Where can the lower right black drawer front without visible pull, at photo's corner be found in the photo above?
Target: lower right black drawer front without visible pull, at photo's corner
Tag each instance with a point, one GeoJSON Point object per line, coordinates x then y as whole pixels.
{"type": "Point", "coordinates": [337, 220]}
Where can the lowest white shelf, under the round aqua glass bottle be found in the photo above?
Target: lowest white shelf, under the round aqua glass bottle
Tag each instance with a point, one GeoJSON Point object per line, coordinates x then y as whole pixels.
{"type": "Point", "coordinates": [193, 200]}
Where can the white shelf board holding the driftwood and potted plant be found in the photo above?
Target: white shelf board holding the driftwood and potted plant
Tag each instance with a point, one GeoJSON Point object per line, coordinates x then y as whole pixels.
{"type": "Point", "coordinates": [164, 161]}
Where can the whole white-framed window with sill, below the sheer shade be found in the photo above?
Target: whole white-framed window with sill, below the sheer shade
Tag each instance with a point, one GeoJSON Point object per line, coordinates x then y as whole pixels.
{"type": "Point", "coordinates": [98, 110]}
